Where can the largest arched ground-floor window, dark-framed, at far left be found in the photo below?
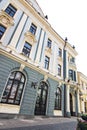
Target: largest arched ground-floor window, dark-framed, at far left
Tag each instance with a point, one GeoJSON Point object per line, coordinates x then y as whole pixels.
{"type": "Point", "coordinates": [14, 88]}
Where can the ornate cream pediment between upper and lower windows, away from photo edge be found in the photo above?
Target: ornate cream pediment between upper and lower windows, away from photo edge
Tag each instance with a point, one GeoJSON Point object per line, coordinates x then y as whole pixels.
{"type": "Point", "coordinates": [30, 37]}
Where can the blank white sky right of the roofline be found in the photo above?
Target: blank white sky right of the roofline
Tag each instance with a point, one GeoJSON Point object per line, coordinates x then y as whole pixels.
{"type": "Point", "coordinates": [69, 19]}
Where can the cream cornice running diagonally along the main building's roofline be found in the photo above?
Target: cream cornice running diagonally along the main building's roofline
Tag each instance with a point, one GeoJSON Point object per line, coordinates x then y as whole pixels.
{"type": "Point", "coordinates": [47, 26]}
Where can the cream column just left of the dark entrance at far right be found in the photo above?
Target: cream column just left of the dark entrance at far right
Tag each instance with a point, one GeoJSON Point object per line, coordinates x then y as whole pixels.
{"type": "Point", "coordinates": [67, 101]}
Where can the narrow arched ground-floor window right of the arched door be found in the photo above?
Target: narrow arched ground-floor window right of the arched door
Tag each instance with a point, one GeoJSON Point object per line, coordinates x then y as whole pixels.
{"type": "Point", "coordinates": [58, 99]}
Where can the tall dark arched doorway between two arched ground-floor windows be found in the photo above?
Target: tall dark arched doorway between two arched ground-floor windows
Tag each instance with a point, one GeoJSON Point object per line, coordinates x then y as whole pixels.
{"type": "Point", "coordinates": [41, 100]}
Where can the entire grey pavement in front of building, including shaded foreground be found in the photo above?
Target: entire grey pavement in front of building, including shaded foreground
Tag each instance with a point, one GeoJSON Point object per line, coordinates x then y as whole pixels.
{"type": "Point", "coordinates": [39, 123]}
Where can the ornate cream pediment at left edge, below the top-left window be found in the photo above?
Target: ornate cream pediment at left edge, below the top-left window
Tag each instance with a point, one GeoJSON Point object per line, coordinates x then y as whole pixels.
{"type": "Point", "coordinates": [5, 19]}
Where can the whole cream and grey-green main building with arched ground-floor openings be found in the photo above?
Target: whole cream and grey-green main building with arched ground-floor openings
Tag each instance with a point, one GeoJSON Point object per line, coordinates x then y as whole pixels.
{"type": "Point", "coordinates": [38, 73]}
